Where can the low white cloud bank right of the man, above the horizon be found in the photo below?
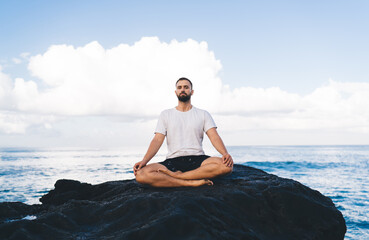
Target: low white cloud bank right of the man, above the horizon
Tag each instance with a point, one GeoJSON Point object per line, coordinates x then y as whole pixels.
{"type": "Point", "coordinates": [340, 106]}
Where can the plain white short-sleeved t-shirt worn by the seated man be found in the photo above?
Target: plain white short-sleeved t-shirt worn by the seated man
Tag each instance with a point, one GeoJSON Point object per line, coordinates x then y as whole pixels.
{"type": "Point", "coordinates": [184, 130]}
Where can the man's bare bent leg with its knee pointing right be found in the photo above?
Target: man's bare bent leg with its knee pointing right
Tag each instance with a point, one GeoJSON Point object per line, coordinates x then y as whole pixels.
{"type": "Point", "coordinates": [210, 168]}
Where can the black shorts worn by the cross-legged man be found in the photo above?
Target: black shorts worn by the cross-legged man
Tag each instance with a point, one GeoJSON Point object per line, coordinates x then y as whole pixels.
{"type": "Point", "coordinates": [185, 163]}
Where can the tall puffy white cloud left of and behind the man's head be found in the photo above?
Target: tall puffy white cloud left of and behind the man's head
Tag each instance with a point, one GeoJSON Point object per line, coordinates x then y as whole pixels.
{"type": "Point", "coordinates": [135, 80]}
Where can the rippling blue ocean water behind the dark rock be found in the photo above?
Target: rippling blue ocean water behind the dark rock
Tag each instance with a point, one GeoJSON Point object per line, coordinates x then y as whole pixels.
{"type": "Point", "coordinates": [339, 172]}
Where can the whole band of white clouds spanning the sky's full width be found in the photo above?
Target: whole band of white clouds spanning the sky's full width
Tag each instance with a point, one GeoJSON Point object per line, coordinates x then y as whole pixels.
{"type": "Point", "coordinates": [137, 82]}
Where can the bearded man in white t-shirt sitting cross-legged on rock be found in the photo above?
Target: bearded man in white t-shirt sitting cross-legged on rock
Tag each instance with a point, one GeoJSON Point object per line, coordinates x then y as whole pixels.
{"type": "Point", "coordinates": [186, 164]}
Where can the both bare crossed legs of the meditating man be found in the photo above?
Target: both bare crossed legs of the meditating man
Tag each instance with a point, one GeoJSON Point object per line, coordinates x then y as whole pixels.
{"type": "Point", "coordinates": [157, 175]}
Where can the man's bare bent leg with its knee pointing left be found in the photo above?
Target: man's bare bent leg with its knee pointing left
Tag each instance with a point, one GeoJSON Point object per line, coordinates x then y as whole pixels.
{"type": "Point", "coordinates": [153, 174]}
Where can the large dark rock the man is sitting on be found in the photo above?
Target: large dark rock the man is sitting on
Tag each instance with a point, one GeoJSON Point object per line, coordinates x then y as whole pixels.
{"type": "Point", "coordinates": [248, 204]}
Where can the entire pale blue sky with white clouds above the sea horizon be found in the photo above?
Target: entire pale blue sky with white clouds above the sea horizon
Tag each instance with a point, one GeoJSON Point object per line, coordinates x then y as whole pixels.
{"type": "Point", "coordinates": [98, 73]}
